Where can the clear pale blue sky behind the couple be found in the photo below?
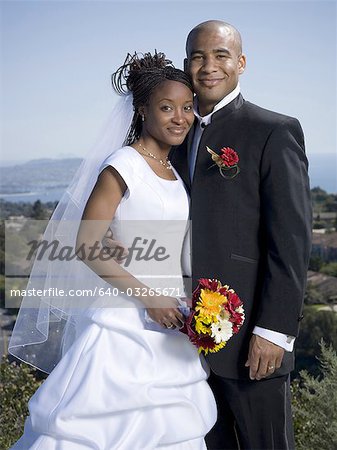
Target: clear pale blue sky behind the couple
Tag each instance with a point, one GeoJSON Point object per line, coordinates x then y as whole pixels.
{"type": "Point", "coordinates": [56, 58]}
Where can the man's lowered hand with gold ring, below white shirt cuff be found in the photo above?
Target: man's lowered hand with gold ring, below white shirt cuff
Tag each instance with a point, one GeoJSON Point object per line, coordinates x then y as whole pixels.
{"type": "Point", "coordinates": [264, 358]}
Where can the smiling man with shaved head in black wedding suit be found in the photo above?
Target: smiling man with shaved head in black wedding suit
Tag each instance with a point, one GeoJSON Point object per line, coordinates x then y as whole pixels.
{"type": "Point", "coordinates": [251, 229]}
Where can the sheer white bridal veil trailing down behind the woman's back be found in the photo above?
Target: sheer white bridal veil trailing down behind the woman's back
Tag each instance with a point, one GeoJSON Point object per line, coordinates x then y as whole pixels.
{"type": "Point", "coordinates": [46, 324]}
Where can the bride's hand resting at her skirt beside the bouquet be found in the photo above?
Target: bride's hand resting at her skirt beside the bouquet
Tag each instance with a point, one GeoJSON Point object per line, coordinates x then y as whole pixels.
{"type": "Point", "coordinates": [164, 310]}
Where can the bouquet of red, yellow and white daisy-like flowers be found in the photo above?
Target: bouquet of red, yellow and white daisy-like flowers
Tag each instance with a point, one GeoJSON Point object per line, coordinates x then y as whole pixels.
{"type": "Point", "coordinates": [216, 314]}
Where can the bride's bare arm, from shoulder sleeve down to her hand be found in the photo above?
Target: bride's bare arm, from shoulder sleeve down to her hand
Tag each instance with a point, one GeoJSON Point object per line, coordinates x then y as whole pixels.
{"type": "Point", "coordinates": [98, 214]}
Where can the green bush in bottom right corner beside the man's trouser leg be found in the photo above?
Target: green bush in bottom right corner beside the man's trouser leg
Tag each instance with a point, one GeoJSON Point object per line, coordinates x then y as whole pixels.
{"type": "Point", "coordinates": [315, 405]}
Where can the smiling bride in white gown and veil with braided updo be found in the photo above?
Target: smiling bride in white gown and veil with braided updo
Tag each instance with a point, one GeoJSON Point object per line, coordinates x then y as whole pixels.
{"type": "Point", "coordinates": [122, 376]}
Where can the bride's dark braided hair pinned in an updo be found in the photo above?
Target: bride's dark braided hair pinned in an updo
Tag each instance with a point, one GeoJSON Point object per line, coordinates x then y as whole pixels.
{"type": "Point", "coordinates": [141, 74]}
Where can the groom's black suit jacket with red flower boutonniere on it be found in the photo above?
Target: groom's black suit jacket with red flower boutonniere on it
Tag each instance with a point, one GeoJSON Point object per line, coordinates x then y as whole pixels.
{"type": "Point", "coordinates": [253, 231]}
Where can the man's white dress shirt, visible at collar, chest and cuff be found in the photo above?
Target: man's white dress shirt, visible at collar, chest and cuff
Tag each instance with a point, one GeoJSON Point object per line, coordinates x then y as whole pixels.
{"type": "Point", "coordinates": [280, 339]}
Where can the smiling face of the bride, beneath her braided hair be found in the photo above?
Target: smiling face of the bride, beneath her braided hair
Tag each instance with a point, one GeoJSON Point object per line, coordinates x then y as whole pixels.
{"type": "Point", "coordinates": [169, 113]}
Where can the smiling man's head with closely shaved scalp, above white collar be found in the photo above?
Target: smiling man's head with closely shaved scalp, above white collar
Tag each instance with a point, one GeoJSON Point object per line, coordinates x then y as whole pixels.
{"type": "Point", "coordinates": [214, 62]}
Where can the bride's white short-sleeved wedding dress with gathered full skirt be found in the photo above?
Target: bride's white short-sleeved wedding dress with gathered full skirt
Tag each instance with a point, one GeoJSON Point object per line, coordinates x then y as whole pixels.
{"type": "Point", "coordinates": [122, 385]}
